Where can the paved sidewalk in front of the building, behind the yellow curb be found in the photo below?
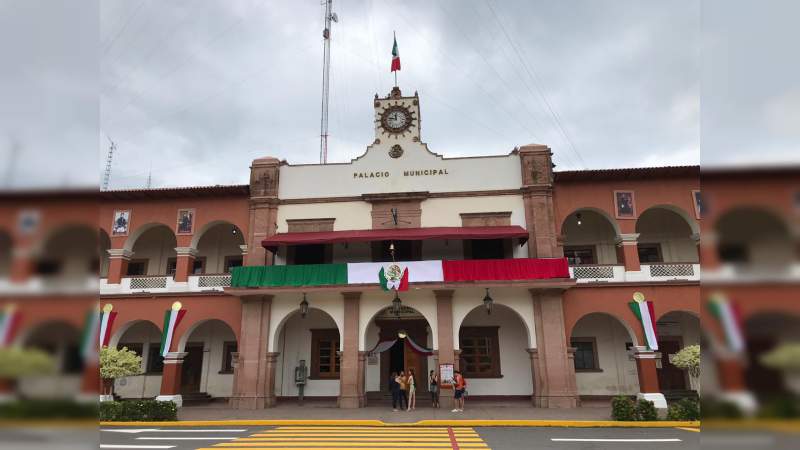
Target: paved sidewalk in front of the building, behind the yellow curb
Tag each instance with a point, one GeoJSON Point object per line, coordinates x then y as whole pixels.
{"type": "Point", "coordinates": [327, 410]}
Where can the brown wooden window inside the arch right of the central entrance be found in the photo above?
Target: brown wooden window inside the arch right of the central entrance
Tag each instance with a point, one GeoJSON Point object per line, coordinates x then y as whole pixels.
{"type": "Point", "coordinates": [480, 352]}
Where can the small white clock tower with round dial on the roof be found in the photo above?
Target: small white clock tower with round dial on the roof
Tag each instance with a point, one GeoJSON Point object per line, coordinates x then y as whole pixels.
{"type": "Point", "coordinates": [397, 118]}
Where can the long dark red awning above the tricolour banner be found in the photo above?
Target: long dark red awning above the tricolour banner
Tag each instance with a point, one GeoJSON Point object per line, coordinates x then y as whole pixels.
{"type": "Point", "coordinates": [397, 234]}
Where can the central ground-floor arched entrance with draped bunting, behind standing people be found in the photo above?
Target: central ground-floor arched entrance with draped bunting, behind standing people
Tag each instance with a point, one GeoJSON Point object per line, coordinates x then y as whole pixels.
{"type": "Point", "coordinates": [397, 341]}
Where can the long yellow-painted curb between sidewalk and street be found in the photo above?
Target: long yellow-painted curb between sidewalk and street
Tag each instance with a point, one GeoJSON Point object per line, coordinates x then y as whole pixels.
{"type": "Point", "coordinates": [421, 423]}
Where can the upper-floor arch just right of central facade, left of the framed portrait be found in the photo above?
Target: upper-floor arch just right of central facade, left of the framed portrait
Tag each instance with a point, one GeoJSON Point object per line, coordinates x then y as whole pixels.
{"type": "Point", "coordinates": [595, 229]}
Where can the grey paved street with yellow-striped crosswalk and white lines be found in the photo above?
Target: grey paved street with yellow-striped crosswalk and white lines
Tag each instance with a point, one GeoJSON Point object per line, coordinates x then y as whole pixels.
{"type": "Point", "coordinates": [393, 438]}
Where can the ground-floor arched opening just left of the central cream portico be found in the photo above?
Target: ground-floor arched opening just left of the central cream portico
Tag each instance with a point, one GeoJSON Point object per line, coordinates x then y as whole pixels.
{"type": "Point", "coordinates": [207, 370]}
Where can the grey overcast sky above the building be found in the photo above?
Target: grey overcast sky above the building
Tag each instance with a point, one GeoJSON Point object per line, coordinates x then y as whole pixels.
{"type": "Point", "coordinates": [192, 90]}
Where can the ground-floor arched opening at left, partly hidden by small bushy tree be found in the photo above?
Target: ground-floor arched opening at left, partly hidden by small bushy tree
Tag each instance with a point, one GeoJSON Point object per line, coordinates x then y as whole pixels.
{"type": "Point", "coordinates": [144, 338]}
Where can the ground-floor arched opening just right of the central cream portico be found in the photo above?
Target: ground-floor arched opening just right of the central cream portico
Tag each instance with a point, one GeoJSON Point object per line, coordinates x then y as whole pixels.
{"type": "Point", "coordinates": [603, 366]}
